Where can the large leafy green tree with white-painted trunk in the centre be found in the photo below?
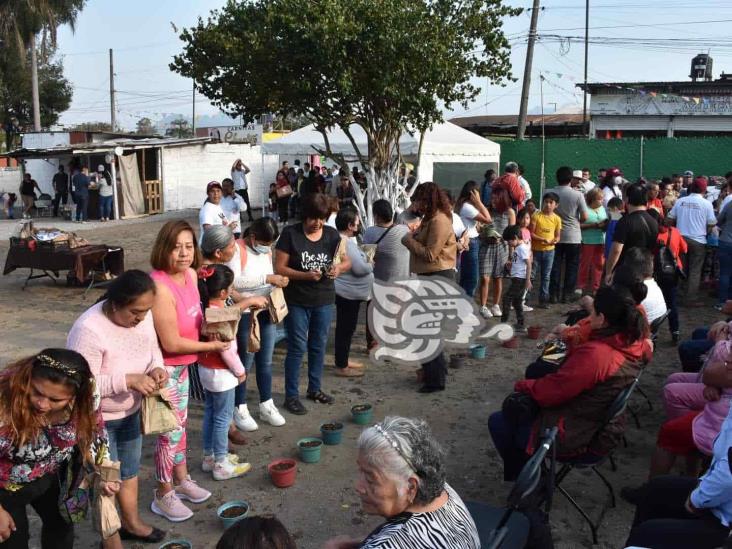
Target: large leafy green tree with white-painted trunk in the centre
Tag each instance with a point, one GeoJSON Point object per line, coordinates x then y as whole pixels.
{"type": "Point", "coordinates": [388, 66]}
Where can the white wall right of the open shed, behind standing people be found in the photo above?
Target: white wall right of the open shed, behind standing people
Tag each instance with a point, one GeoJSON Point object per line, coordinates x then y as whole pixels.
{"type": "Point", "coordinates": [188, 169]}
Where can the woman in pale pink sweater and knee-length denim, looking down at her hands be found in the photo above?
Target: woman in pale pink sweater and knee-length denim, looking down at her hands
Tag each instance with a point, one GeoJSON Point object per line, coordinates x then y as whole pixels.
{"type": "Point", "coordinates": [117, 338]}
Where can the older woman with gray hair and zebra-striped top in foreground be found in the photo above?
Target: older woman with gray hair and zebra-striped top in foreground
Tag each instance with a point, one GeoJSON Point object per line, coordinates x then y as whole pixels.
{"type": "Point", "coordinates": [402, 478]}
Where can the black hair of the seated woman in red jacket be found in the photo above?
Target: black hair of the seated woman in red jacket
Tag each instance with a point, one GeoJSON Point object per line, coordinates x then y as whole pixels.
{"type": "Point", "coordinates": [617, 304]}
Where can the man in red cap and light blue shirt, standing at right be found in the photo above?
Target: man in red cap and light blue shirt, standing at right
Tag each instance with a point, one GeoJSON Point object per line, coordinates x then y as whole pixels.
{"type": "Point", "coordinates": [694, 217]}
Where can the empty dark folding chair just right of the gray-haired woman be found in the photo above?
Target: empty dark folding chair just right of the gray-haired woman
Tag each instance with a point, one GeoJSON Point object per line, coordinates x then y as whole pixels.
{"type": "Point", "coordinates": [507, 527]}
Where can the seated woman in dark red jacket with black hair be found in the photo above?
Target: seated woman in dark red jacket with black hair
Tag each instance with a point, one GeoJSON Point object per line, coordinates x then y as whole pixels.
{"type": "Point", "coordinates": [577, 396]}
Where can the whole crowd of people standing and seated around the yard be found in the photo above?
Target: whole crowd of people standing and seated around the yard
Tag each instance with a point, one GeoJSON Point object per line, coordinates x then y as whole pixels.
{"type": "Point", "coordinates": [621, 250]}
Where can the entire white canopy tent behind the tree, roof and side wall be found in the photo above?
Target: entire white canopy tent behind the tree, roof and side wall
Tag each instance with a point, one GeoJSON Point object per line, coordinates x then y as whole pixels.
{"type": "Point", "coordinates": [444, 144]}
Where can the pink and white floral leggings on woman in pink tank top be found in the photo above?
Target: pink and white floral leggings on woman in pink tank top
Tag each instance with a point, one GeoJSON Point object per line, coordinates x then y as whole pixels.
{"type": "Point", "coordinates": [170, 449]}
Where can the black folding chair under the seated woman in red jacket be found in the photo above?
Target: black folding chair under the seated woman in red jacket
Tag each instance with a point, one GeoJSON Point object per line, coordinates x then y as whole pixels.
{"type": "Point", "coordinates": [592, 462]}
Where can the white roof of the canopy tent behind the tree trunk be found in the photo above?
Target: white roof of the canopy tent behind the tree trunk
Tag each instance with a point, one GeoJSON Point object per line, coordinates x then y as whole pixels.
{"type": "Point", "coordinates": [443, 139]}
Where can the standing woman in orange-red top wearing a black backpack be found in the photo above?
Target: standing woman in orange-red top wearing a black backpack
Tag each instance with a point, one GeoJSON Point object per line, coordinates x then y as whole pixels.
{"type": "Point", "coordinates": [670, 247]}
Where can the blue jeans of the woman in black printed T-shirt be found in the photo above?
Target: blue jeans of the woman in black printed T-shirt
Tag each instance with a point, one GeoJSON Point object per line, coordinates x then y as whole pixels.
{"type": "Point", "coordinates": [307, 330]}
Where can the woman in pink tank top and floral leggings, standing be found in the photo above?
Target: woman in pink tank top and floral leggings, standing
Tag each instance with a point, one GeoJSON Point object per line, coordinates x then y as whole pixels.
{"type": "Point", "coordinates": [177, 317]}
